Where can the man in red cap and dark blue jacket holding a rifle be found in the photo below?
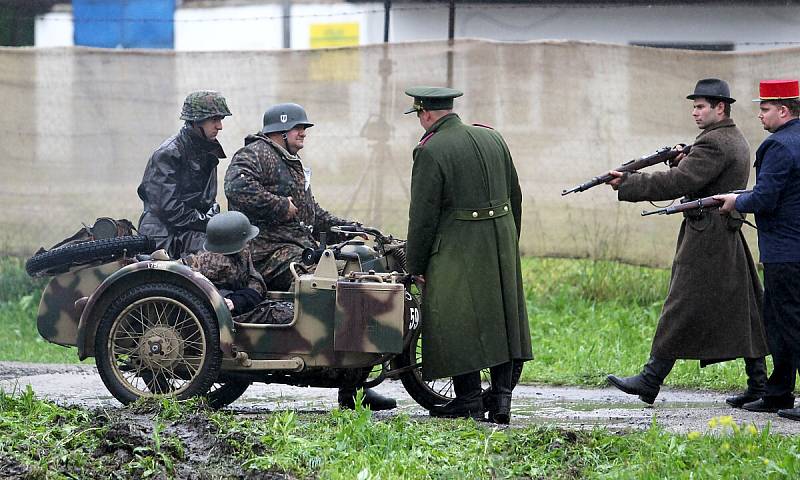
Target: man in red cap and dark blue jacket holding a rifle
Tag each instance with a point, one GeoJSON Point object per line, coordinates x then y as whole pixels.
{"type": "Point", "coordinates": [775, 200]}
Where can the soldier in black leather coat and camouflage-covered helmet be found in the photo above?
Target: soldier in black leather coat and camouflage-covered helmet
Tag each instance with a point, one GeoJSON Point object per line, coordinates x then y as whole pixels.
{"type": "Point", "coordinates": [179, 185]}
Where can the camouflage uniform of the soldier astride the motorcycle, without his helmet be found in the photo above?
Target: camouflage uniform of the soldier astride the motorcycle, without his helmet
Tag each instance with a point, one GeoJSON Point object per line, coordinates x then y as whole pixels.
{"type": "Point", "coordinates": [261, 177]}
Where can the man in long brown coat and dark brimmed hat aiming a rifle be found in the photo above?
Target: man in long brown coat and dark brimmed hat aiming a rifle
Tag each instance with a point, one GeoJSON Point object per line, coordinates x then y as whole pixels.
{"type": "Point", "coordinates": [713, 309]}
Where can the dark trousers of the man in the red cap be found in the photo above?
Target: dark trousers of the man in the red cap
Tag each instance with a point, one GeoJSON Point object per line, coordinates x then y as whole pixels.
{"type": "Point", "coordinates": [782, 322]}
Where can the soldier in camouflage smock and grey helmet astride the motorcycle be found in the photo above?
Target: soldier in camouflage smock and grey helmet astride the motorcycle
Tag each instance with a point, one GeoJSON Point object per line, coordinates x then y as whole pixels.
{"type": "Point", "coordinates": [267, 181]}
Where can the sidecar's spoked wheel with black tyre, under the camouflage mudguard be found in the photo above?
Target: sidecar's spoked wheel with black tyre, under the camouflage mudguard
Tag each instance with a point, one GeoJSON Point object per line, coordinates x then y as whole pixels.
{"type": "Point", "coordinates": [157, 339]}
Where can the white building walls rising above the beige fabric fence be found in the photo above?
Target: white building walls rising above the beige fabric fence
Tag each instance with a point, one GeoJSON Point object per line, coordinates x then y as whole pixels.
{"type": "Point", "coordinates": [260, 27]}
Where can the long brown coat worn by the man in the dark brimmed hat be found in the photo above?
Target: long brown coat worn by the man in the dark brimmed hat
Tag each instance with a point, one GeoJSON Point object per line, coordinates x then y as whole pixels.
{"type": "Point", "coordinates": [713, 308]}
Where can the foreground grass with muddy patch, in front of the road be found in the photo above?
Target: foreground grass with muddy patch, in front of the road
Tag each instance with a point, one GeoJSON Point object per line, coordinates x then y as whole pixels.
{"type": "Point", "coordinates": [162, 439]}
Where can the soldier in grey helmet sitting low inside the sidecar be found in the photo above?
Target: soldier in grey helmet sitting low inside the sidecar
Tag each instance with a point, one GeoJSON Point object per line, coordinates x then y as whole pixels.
{"type": "Point", "coordinates": [227, 263]}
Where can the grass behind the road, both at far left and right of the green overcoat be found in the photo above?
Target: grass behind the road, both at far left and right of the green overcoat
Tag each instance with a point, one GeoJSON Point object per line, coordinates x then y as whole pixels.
{"type": "Point", "coordinates": [588, 318]}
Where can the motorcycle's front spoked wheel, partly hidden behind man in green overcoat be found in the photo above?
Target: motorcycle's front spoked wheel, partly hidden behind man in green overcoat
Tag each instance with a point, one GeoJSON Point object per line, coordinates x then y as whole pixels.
{"type": "Point", "coordinates": [438, 391]}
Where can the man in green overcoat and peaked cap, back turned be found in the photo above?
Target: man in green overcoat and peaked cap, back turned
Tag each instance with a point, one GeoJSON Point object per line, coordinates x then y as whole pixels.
{"type": "Point", "coordinates": [463, 245]}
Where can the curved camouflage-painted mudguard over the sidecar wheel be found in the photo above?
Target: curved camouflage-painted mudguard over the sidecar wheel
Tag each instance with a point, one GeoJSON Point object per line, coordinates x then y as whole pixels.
{"type": "Point", "coordinates": [143, 272]}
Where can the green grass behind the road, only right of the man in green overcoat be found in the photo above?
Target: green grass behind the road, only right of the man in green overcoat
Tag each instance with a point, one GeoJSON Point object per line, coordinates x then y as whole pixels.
{"type": "Point", "coordinates": [590, 318]}
